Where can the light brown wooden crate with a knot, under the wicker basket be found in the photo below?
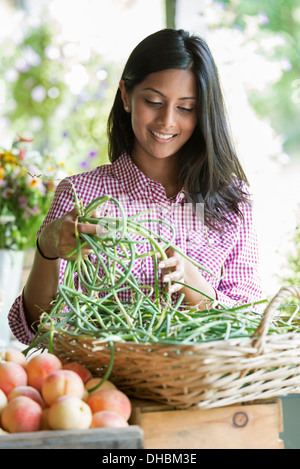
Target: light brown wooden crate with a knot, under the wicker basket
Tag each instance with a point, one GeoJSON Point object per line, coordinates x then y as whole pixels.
{"type": "Point", "coordinates": [247, 426]}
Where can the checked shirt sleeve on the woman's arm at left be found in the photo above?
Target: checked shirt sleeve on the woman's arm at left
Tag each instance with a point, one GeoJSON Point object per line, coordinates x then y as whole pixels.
{"type": "Point", "coordinates": [63, 202]}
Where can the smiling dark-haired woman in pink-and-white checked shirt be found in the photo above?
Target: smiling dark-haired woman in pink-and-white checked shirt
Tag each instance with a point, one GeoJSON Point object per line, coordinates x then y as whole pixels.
{"type": "Point", "coordinates": [170, 150]}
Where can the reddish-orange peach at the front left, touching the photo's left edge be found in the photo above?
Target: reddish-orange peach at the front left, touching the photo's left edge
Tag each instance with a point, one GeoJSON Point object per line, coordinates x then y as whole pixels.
{"type": "Point", "coordinates": [21, 414]}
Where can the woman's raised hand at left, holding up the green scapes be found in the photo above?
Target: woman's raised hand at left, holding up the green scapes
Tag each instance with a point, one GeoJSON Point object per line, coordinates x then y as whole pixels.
{"type": "Point", "coordinates": [58, 239]}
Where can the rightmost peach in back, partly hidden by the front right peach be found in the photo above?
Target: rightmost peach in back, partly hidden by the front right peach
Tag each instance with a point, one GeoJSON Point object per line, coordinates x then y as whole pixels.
{"type": "Point", "coordinates": [111, 399]}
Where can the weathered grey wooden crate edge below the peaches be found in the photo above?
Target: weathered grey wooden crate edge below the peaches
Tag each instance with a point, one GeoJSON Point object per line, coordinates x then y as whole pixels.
{"type": "Point", "coordinates": [96, 438]}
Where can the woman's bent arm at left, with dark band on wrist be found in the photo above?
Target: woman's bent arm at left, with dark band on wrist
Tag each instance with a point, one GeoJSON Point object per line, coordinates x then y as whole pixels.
{"type": "Point", "coordinates": [56, 239]}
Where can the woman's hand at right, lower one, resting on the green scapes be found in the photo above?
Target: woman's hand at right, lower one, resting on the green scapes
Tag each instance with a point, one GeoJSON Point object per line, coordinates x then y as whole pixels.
{"type": "Point", "coordinates": [177, 268]}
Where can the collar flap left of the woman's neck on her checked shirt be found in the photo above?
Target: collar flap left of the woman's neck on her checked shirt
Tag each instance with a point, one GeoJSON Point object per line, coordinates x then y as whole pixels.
{"type": "Point", "coordinates": [135, 182]}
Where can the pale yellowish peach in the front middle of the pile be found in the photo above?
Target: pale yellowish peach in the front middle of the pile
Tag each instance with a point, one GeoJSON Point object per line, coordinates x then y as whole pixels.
{"type": "Point", "coordinates": [69, 413]}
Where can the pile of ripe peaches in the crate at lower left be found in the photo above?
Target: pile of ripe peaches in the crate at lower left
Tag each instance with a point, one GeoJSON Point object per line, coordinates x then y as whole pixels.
{"type": "Point", "coordinates": [44, 393]}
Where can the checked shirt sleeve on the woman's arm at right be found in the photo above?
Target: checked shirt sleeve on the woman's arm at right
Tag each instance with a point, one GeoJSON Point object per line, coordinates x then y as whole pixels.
{"type": "Point", "coordinates": [240, 283]}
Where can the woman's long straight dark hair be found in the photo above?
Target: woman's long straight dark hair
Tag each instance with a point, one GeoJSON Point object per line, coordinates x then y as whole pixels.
{"type": "Point", "coordinates": [210, 171]}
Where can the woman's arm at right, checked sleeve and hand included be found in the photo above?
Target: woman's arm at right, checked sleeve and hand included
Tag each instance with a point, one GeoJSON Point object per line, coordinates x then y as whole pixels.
{"type": "Point", "coordinates": [240, 282]}
